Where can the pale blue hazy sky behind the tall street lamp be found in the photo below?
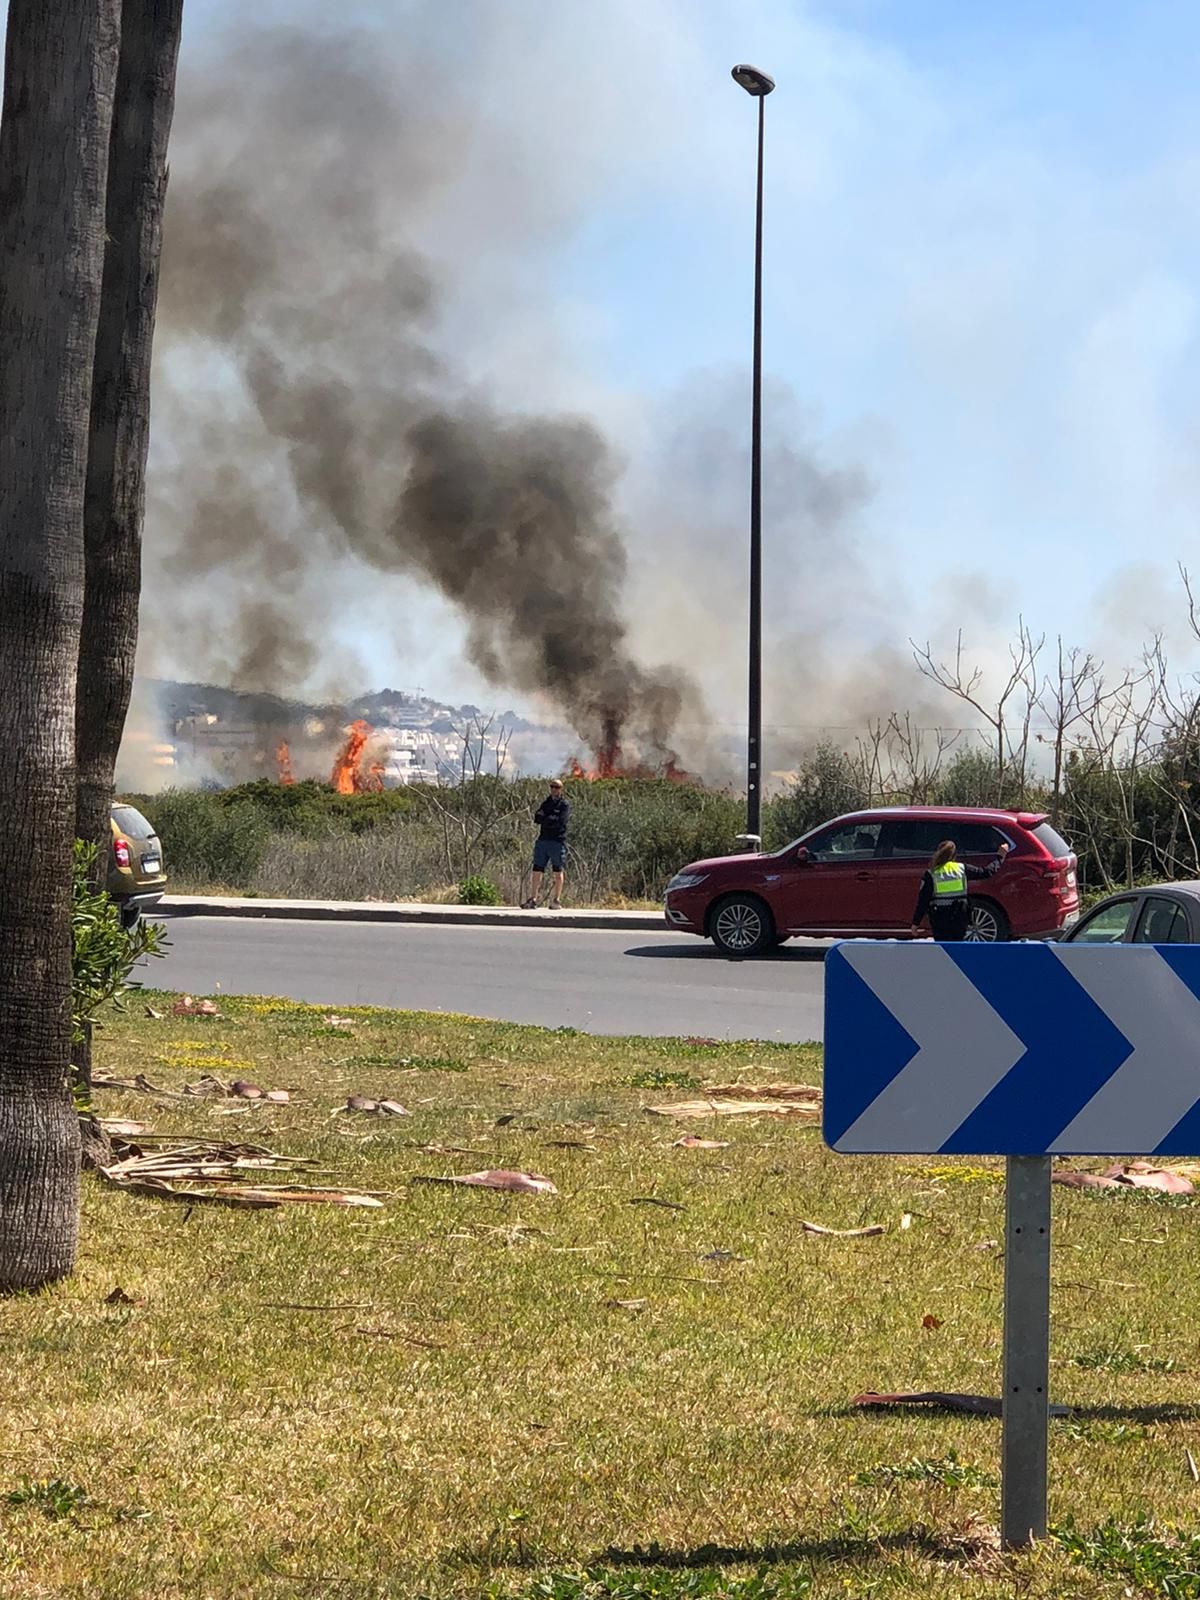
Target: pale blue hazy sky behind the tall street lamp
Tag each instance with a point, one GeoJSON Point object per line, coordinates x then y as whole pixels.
{"type": "Point", "coordinates": [983, 252]}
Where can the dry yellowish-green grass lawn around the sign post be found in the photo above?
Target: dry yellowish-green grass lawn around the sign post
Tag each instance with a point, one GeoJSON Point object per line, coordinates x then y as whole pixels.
{"type": "Point", "coordinates": [572, 1396]}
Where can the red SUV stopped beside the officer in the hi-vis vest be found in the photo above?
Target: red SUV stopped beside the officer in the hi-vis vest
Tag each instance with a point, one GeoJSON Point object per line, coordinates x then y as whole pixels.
{"type": "Point", "coordinates": [858, 878]}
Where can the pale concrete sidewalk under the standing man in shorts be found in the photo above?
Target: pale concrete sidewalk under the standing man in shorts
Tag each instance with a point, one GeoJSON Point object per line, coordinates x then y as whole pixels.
{"type": "Point", "coordinates": [409, 911]}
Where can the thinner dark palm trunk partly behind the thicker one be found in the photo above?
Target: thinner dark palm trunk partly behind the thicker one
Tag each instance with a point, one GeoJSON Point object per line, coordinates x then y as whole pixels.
{"type": "Point", "coordinates": [121, 431]}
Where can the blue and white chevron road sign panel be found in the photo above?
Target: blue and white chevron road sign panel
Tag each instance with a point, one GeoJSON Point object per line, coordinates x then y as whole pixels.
{"type": "Point", "coordinates": [1014, 1049]}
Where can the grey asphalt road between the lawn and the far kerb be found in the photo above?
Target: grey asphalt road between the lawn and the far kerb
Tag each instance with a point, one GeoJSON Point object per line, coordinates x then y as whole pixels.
{"type": "Point", "coordinates": [599, 982]}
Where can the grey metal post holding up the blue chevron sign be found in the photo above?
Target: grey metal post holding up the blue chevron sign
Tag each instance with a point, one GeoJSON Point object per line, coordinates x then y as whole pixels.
{"type": "Point", "coordinates": [1026, 1366]}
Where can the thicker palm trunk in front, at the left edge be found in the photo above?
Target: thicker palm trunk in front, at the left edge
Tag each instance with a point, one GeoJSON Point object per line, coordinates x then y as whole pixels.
{"type": "Point", "coordinates": [60, 76]}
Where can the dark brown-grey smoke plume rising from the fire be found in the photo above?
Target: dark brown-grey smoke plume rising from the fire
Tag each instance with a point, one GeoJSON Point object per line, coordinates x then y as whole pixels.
{"type": "Point", "coordinates": [302, 324]}
